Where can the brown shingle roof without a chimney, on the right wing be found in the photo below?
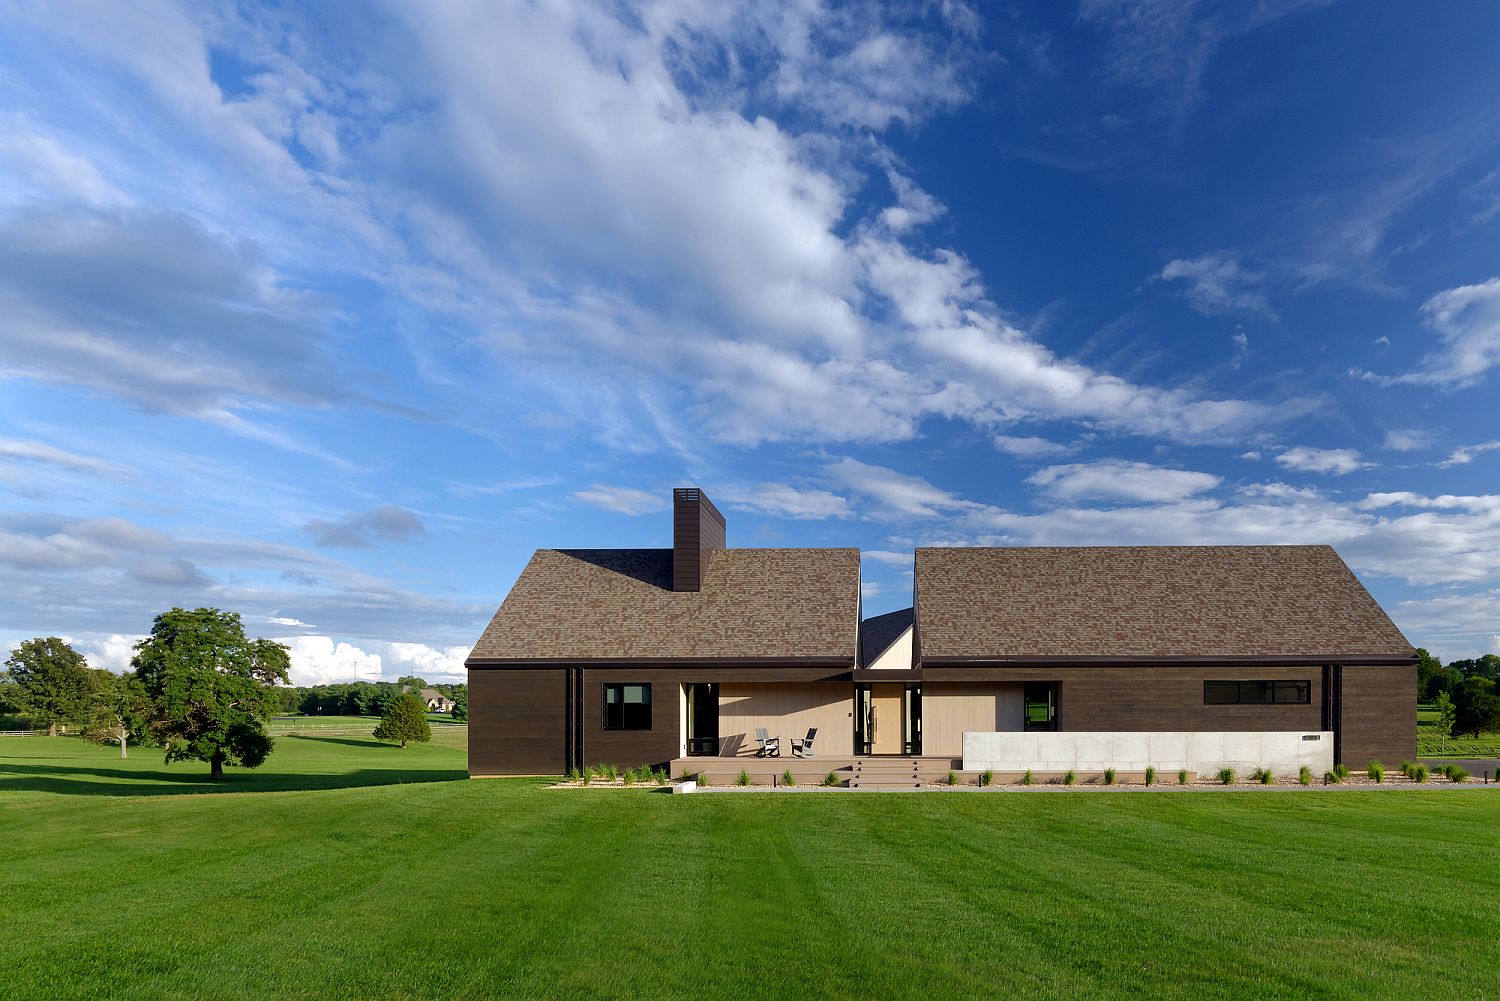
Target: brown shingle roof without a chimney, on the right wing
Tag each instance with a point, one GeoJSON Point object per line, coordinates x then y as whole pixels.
{"type": "Point", "coordinates": [1147, 603]}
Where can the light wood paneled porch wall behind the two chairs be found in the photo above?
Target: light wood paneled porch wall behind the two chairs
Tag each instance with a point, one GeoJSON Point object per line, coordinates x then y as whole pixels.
{"type": "Point", "coordinates": [787, 709]}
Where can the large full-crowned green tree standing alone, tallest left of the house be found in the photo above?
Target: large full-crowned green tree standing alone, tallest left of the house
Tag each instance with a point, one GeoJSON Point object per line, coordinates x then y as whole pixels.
{"type": "Point", "coordinates": [212, 690]}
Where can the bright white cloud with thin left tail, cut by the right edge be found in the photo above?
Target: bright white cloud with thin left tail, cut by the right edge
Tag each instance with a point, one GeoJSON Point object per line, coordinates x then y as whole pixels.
{"type": "Point", "coordinates": [1468, 325]}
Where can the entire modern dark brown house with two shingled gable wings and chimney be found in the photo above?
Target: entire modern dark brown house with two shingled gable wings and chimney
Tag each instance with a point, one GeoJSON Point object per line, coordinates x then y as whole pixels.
{"type": "Point", "coordinates": [1010, 658]}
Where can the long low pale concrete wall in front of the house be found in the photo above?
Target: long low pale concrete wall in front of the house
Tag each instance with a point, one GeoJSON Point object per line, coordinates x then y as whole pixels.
{"type": "Point", "coordinates": [1196, 751]}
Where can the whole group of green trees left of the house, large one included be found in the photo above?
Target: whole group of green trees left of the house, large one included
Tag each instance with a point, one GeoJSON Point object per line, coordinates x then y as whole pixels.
{"type": "Point", "coordinates": [199, 688]}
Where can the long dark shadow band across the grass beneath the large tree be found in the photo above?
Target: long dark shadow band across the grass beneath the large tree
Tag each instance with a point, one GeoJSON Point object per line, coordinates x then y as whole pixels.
{"type": "Point", "coordinates": [91, 781]}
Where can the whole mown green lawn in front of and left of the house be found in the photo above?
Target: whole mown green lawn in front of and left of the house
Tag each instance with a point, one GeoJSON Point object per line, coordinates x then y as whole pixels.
{"type": "Point", "coordinates": [391, 882]}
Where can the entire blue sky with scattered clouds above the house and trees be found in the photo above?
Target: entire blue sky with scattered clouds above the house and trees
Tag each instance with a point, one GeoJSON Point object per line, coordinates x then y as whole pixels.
{"type": "Point", "coordinates": [332, 316]}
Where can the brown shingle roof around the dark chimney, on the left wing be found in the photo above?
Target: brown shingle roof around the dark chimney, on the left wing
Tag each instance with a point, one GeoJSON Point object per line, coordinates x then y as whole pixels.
{"type": "Point", "coordinates": [616, 604]}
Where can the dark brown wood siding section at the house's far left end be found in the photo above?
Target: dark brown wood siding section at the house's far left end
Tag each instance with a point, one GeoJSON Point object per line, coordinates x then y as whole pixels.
{"type": "Point", "coordinates": [518, 723]}
